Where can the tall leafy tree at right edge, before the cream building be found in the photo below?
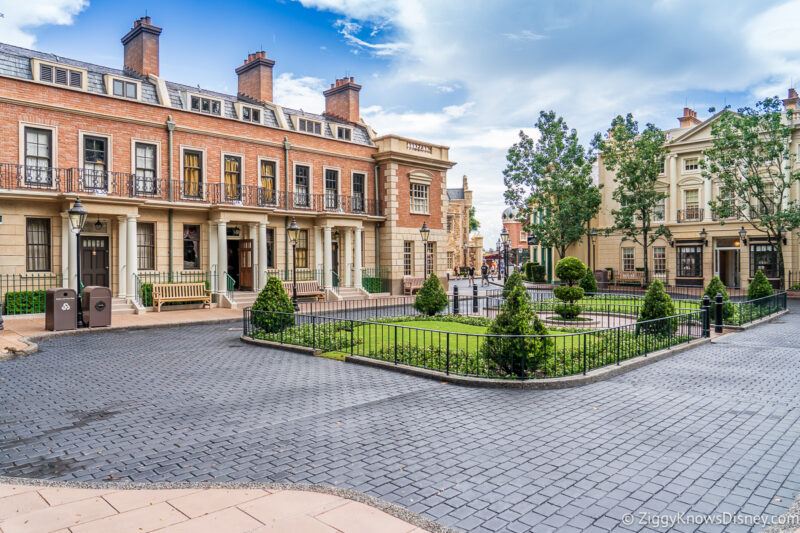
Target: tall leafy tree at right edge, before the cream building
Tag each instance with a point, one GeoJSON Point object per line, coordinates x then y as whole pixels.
{"type": "Point", "coordinates": [752, 159]}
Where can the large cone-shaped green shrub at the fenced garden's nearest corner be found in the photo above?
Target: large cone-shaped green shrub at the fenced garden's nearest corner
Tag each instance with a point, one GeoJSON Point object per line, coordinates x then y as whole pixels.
{"type": "Point", "coordinates": [516, 356]}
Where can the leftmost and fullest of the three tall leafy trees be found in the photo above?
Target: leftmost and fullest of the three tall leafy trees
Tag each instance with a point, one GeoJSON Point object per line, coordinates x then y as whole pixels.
{"type": "Point", "coordinates": [552, 178]}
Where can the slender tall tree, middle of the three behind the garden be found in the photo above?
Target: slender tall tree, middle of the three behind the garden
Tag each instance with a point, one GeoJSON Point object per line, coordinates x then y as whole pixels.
{"type": "Point", "coordinates": [635, 158]}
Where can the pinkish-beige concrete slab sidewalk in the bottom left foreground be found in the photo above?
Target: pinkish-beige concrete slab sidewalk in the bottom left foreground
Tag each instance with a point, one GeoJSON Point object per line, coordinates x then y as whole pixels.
{"type": "Point", "coordinates": [35, 509]}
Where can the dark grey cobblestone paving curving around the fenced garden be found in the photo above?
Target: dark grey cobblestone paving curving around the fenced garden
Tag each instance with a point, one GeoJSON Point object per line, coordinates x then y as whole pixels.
{"type": "Point", "coordinates": [714, 429]}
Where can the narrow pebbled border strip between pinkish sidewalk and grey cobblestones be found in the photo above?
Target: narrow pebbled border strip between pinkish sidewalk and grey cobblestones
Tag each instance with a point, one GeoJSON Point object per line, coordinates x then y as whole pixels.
{"type": "Point", "coordinates": [382, 505]}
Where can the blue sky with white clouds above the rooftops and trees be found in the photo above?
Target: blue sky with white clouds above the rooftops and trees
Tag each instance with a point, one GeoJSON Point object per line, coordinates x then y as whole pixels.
{"type": "Point", "coordinates": [469, 74]}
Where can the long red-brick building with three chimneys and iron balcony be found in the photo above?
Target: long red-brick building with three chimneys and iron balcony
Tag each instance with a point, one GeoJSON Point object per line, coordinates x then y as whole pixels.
{"type": "Point", "coordinates": [182, 179]}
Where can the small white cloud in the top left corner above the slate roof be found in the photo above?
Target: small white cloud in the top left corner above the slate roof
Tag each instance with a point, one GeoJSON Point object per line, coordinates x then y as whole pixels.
{"type": "Point", "coordinates": [20, 18]}
